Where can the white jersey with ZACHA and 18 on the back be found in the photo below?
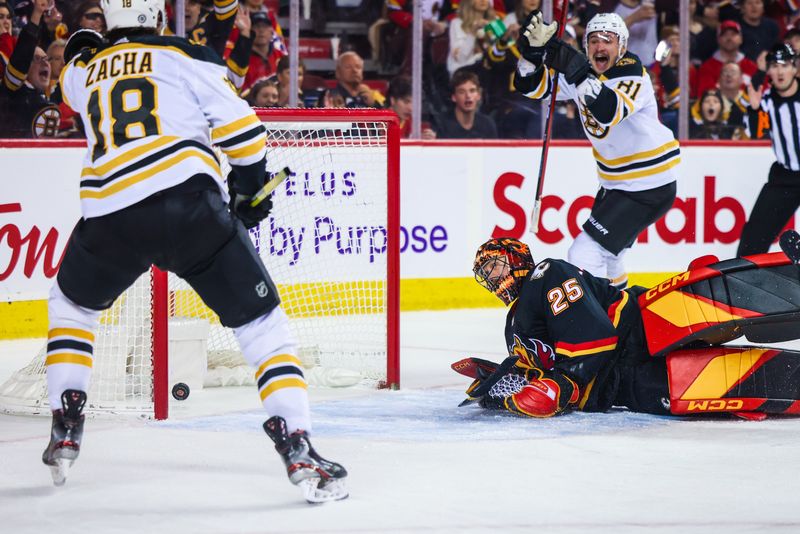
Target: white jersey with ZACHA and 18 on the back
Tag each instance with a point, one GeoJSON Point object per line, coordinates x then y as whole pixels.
{"type": "Point", "coordinates": [151, 107]}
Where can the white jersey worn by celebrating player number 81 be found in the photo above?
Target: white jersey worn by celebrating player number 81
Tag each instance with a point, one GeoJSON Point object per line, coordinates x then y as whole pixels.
{"type": "Point", "coordinates": [633, 151]}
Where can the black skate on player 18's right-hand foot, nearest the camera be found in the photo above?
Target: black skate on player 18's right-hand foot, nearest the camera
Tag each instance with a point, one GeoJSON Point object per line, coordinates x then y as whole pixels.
{"type": "Point", "coordinates": [319, 479]}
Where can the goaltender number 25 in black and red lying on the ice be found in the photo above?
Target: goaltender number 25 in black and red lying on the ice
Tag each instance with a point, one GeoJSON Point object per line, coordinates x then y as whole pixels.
{"type": "Point", "coordinates": [577, 343]}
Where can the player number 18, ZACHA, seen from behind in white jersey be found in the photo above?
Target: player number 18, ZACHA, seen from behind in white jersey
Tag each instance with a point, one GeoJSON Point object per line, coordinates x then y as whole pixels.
{"type": "Point", "coordinates": [152, 192]}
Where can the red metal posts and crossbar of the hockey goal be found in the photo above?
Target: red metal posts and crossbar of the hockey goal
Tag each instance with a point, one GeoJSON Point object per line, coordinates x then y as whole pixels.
{"type": "Point", "coordinates": [160, 288]}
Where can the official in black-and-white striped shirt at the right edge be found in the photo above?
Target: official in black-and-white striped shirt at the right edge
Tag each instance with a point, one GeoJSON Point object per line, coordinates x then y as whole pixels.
{"type": "Point", "coordinates": [778, 112]}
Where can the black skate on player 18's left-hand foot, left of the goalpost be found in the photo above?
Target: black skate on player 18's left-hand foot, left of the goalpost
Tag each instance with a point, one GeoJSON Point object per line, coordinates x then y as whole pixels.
{"type": "Point", "coordinates": [65, 435]}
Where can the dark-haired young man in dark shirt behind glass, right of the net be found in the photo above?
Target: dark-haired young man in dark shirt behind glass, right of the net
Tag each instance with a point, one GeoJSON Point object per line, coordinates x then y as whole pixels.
{"type": "Point", "coordinates": [465, 121]}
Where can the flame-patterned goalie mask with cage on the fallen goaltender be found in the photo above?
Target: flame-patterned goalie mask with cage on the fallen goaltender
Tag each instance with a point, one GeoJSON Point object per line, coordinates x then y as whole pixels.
{"type": "Point", "coordinates": [501, 265]}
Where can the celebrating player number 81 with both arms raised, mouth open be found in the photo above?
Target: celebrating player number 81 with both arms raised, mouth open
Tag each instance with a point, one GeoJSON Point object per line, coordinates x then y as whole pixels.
{"type": "Point", "coordinates": [636, 155]}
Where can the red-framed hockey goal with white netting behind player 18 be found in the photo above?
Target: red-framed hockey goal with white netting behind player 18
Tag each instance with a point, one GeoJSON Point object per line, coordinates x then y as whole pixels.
{"type": "Point", "coordinates": [330, 245]}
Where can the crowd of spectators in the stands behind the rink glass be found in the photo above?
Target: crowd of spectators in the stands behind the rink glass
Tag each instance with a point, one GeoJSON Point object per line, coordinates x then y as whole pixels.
{"type": "Point", "coordinates": [357, 53]}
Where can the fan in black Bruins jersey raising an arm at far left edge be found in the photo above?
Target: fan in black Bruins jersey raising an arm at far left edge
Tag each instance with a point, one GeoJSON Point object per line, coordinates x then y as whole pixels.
{"type": "Point", "coordinates": [25, 110]}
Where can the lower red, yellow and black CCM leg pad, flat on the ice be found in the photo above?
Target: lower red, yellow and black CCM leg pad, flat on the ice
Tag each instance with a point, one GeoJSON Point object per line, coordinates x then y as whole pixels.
{"type": "Point", "coordinates": [734, 379]}
